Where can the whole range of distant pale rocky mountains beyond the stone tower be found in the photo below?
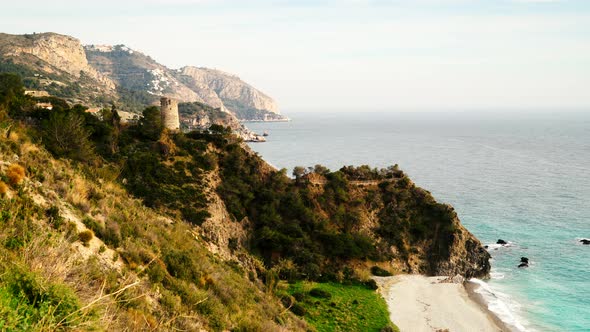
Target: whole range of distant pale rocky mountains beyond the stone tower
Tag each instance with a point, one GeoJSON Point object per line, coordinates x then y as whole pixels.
{"type": "Point", "coordinates": [100, 74]}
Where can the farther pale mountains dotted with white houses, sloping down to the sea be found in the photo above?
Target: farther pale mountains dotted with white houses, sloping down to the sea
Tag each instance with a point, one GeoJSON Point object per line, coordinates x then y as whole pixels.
{"type": "Point", "coordinates": [138, 72]}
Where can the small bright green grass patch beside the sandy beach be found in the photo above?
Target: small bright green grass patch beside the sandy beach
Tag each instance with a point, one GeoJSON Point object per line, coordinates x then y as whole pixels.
{"type": "Point", "coordinates": [350, 307]}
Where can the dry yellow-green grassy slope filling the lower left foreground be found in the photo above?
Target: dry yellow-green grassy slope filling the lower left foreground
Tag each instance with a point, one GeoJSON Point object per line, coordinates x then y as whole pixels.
{"type": "Point", "coordinates": [177, 283]}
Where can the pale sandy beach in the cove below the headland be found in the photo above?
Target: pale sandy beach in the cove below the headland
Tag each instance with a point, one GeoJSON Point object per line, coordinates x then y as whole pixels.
{"type": "Point", "coordinates": [418, 303]}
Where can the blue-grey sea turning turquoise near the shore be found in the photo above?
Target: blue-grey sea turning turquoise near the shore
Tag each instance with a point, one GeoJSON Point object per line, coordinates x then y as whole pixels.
{"type": "Point", "coordinates": [519, 176]}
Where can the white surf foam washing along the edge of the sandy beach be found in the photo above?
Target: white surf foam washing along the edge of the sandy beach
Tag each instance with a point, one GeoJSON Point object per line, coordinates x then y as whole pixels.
{"type": "Point", "coordinates": [500, 304]}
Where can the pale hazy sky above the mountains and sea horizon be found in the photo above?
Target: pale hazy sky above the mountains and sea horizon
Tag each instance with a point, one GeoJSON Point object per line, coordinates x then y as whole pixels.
{"type": "Point", "coordinates": [351, 54]}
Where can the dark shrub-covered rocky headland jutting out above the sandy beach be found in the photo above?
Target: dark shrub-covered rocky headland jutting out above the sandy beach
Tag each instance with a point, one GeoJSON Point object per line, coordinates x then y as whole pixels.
{"type": "Point", "coordinates": [325, 220]}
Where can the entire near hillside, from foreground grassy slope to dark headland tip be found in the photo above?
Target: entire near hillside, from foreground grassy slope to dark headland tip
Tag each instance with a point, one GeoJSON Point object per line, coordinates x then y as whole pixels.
{"type": "Point", "coordinates": [136, 226]}
